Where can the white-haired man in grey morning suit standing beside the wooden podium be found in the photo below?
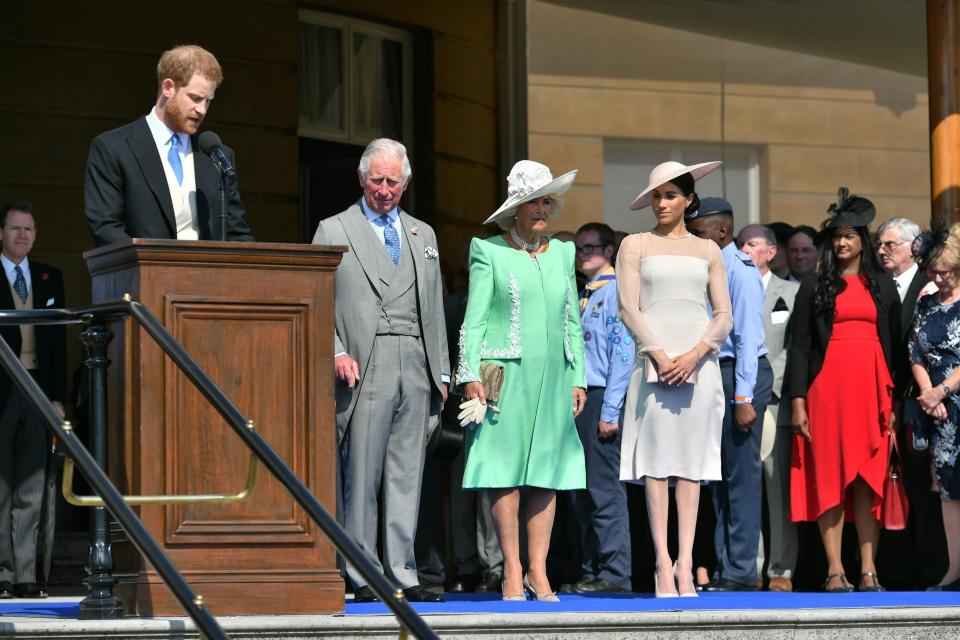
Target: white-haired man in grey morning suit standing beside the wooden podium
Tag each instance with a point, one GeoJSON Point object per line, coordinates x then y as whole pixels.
{"type": "Point", "coordinates": [391, 362]}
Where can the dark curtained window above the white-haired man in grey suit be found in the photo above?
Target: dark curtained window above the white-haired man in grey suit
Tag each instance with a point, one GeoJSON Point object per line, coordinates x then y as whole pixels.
{"type": "Point", "coordinates": [355, 80]}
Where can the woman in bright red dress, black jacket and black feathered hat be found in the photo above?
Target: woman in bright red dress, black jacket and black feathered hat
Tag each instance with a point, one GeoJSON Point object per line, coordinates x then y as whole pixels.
{"type": "Point", "coordinates": [842, 363]}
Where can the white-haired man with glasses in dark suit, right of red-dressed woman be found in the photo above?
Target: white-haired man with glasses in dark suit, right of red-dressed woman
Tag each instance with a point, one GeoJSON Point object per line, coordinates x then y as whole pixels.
{"type": "Point", "coordinates": [912, 558]}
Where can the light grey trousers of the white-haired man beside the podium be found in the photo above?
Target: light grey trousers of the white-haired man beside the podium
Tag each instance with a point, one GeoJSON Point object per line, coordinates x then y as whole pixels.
{"type": "Point", "coordinates": [382, 456]}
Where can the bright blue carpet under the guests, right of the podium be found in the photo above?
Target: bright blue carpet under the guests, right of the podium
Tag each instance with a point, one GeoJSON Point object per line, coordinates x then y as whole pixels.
{"type": "Point", "coordinates": [491, 603]}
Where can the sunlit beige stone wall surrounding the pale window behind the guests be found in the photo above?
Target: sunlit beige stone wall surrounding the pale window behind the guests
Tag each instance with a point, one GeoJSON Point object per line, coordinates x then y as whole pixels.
{"type": "Point", "coordinates": [817, 123]}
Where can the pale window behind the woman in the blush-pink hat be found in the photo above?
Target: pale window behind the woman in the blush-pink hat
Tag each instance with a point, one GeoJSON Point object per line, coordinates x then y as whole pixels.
{"type": "Point", "coordinates": [627, 166]}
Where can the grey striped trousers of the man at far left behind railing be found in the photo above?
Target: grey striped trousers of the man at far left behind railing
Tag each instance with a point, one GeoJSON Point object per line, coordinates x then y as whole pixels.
{"type": "Point", "coordinates": [23, 456]}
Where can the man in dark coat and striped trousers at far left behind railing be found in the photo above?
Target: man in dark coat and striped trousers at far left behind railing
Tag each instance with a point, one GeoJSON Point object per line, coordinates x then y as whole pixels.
{"type": "Point", "coordinates": [23, 434]}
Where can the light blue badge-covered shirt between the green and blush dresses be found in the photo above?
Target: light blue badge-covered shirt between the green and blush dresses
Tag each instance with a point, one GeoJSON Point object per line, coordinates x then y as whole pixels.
{"type": "Point", "coordinates": [608, 350]}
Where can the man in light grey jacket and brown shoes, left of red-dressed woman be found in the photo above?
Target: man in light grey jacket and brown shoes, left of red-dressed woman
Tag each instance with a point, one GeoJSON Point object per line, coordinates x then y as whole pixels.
{"type": "Point", "coordinates": [760, 243]}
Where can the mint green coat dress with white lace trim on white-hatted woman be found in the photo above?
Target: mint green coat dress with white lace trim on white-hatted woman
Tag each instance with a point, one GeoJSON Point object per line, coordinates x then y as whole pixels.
{"type": "Point", "coordinates": [523, 313]}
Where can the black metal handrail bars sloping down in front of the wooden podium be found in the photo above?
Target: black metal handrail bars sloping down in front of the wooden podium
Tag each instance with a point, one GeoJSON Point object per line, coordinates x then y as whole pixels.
{"type": "Point", "coordinates": [114, 501]}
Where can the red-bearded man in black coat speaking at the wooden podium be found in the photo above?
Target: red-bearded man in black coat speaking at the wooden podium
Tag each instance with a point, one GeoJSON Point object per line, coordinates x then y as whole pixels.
{"type": "Point", "coordinates": [145, 179]}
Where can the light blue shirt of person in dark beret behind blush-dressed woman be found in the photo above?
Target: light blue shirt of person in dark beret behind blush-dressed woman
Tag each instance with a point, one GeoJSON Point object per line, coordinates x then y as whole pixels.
{"type": "Point", "coordinates": [745, 341]}
